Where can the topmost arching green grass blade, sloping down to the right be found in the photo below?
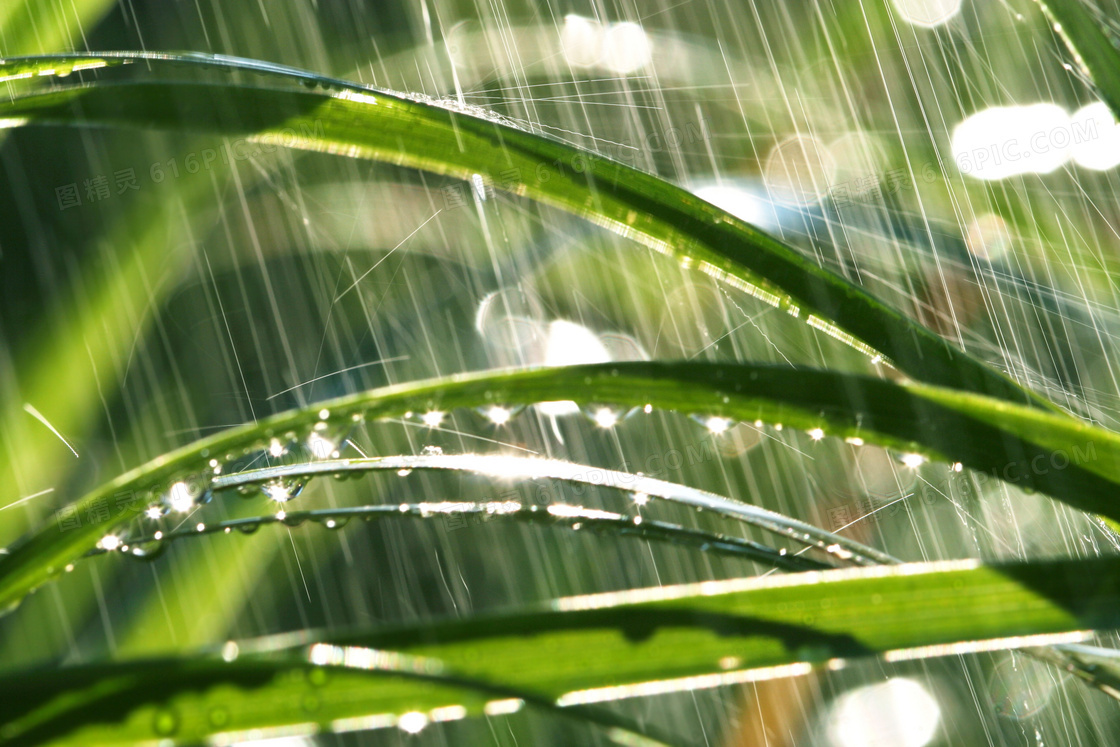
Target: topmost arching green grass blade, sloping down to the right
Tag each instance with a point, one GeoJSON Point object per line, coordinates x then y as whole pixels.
{"type": "Point", "coordinates": [396, 128]}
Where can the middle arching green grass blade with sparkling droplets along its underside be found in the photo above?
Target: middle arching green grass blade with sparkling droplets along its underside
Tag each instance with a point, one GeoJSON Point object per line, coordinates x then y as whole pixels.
{"type": "Point", "coordinates": [1011, 442]}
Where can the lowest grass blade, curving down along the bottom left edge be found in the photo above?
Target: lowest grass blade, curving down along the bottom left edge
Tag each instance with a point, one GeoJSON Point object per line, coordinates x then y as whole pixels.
{"type": "Point", "coordinates": [258, 698]}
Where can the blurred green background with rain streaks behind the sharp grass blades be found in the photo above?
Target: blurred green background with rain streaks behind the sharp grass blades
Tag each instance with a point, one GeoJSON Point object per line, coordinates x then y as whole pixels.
{"type": "Point", "coordinates": [185, 294]}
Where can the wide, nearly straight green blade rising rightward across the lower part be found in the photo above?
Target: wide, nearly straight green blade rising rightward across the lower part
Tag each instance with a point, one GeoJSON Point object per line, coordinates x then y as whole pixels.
{"type": "Point", "coordinates": [577, 652]}
